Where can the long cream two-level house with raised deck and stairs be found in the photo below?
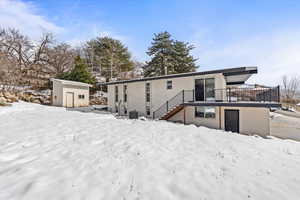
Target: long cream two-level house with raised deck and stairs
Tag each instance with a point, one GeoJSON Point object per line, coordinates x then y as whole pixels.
{"type": "Point", "coordinates": [216, 99]}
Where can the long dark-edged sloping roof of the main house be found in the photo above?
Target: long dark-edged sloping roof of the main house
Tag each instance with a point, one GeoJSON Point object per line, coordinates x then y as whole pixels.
{"type": "Point", "coordinates": [246, 72]}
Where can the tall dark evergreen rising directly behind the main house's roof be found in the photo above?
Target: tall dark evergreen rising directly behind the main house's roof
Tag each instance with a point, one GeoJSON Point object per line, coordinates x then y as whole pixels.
{"type": "Point", "coordinates": [169, 56]}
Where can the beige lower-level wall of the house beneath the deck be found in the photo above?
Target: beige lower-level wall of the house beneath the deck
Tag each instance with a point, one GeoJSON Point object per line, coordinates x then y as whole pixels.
{"type": "Point", "coordinates": [252, 120]}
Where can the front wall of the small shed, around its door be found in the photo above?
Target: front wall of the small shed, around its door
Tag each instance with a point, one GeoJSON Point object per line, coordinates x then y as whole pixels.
{"type": "Point", "coordinates": [77, 90]}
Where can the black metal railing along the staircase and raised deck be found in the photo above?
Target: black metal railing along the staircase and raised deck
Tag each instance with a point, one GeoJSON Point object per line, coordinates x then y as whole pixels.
{"type": "Point", "coordinates": [262, 94]}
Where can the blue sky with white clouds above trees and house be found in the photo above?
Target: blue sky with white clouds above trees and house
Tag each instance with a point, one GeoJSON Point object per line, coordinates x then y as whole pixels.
{"type": "Point", "coordinates": [225, 33]}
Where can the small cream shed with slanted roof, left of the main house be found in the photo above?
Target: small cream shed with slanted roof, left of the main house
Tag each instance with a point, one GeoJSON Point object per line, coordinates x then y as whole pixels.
{"type": "Point", "coordinates": [70, 93]}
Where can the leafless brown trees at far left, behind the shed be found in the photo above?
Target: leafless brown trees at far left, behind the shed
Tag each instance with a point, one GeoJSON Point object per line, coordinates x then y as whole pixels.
{"type": "Point", "coordinates": [26, 62]}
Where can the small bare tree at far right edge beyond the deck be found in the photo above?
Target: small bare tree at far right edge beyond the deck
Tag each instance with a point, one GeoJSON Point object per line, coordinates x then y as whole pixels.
{"type": "Point", "coordinates": [290, 86]}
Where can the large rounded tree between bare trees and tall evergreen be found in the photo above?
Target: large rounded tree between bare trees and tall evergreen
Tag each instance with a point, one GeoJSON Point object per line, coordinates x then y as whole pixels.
{"type": "Point", "coordinates": [108, 56]}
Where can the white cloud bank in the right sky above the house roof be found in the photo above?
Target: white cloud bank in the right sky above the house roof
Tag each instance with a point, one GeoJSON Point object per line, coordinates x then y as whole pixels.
{"type": "Point", "coordinates": [275, 53]}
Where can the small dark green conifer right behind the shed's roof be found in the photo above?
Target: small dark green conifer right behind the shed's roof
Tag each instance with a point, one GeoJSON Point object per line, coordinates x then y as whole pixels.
{"type": "Point", "coordinates": [79, 73]}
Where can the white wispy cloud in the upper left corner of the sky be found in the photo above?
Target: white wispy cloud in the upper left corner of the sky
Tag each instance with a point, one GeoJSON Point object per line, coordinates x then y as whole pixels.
{"type": "Point", "coordinates": [23, 16]}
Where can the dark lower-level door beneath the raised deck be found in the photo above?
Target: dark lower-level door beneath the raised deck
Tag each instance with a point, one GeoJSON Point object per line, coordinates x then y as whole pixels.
{"type": "Point", "coordinates": [232, 121]}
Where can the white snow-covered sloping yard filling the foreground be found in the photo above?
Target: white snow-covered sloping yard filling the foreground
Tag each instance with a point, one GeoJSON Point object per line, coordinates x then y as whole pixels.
{"type": "Point", "coordinates": [51, 153]}
